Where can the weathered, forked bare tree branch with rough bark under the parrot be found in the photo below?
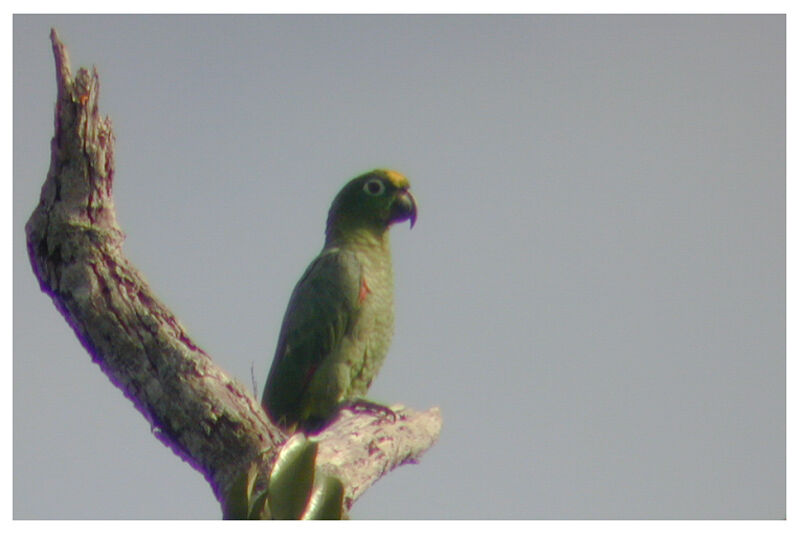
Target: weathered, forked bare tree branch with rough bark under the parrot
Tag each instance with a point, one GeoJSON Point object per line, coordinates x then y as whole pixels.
{"type": "Point", "coordinates": [208, 419]}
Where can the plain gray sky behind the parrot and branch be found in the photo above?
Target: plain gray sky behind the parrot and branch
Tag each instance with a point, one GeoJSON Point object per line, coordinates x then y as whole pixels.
{"type": "Point", "coordinates": [594, 292]}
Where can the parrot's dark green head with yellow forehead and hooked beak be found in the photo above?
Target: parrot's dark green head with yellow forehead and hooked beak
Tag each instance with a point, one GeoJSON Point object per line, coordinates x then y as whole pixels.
{"type": "Point", "coordinates": [373, 201]}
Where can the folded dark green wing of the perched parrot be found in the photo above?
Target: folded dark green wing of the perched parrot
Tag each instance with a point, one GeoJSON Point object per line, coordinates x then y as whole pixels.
{"type": "Point", "coordinates": [321, 312]}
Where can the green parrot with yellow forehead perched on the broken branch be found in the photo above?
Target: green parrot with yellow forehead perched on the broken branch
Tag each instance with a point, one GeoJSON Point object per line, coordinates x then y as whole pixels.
{"type": "Point", "coordinates": [340, 318]}
